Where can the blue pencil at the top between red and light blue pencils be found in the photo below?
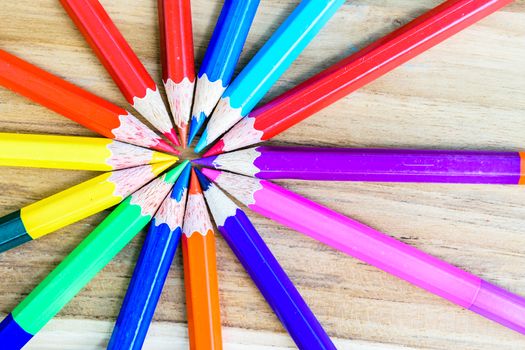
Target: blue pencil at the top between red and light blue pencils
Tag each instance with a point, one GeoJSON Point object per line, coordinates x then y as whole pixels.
{"type": "Point", "coordinates": [222, 55]}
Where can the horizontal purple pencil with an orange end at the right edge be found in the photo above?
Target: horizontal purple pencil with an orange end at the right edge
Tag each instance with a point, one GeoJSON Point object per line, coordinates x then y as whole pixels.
{"type": "Point", "coordinates": [383, 165]}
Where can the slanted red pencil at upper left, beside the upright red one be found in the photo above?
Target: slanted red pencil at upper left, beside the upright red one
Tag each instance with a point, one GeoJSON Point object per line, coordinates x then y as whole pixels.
{"type": "Point", "coordinates": [121, 62]}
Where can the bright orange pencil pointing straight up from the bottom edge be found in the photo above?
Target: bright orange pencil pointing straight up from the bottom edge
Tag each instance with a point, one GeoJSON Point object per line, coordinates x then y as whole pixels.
{"type": "Point", "coordinates": [200, 273]}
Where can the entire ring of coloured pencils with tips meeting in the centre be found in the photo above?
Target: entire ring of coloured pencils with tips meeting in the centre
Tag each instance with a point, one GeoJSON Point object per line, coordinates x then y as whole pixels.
{"type": "Point", "coordinates": [144, 182]}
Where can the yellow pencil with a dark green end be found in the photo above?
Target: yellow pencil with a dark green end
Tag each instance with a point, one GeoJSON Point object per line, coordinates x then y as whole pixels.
{"type": "Point", "coordinates": [76, 203]}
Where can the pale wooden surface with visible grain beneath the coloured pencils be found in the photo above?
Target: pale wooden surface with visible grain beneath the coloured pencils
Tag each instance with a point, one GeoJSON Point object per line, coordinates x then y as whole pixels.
{"type": "Point", "coordinates": [466, 93]}
